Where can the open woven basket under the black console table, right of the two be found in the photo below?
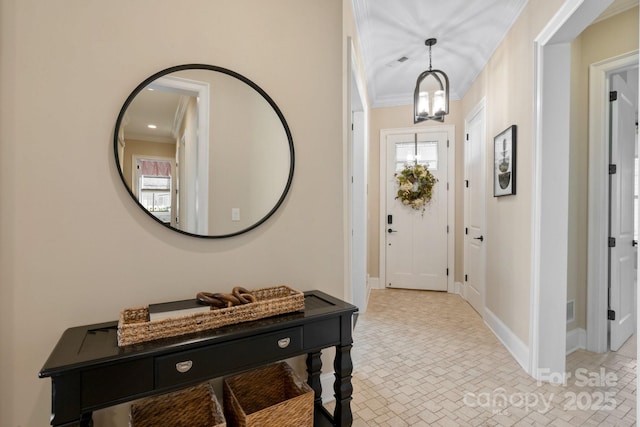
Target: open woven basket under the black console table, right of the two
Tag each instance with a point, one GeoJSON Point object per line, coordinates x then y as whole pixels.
{"type": "Point", "coordinates": [269, 396]}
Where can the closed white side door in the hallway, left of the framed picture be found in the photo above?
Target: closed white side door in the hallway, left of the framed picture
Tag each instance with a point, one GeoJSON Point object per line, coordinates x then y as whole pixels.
{"type": "Point", "coordinates": [474, 194]}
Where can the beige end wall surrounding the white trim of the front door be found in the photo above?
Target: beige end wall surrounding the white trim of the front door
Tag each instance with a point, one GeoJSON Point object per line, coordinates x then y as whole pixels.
{"type": "Point", "coordinates": [402, 117]}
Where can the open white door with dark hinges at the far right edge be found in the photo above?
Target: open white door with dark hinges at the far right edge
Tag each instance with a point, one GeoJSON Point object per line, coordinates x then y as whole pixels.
{"type": "Point", "coordinates": [622, 254]}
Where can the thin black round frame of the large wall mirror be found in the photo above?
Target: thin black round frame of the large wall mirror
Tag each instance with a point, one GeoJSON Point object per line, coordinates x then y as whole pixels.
{"type": "Point", "coordinates": [243, 79]}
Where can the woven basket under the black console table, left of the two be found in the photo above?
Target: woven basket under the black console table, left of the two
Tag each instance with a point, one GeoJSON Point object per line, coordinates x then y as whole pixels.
{"type": "Point", "coordinates": [192, 407]}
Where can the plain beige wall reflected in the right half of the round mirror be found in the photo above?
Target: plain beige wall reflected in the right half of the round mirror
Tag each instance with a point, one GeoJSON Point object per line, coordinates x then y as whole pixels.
{"type": "Point", "coordinates": [249, 165]}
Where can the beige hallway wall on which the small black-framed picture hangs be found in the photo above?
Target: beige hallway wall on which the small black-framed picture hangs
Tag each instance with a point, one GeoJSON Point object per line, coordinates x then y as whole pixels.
{"type": "Point", "coordinates": [507, 84]}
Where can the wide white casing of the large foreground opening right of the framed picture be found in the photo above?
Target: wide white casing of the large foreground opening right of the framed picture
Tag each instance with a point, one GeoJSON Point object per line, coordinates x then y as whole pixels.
{"type": "Point", "coordinates": [550, 190]}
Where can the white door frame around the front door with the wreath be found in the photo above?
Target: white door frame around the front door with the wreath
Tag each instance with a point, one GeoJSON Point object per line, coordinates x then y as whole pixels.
{"type": "Point", "coordinates": [451, 156]}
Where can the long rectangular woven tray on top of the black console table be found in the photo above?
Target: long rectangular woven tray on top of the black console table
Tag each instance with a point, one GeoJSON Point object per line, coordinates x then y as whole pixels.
{"type": "Point", "coordinates": [134, 326]}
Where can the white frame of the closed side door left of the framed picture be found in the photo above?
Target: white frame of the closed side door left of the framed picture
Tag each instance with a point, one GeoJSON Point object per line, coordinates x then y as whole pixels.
{"type": "Point", "coordinates": [479, 109]}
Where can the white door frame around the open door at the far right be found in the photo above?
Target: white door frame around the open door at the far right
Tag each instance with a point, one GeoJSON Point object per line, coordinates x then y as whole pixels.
{"type": "Point", "coordinates": [597, 295]}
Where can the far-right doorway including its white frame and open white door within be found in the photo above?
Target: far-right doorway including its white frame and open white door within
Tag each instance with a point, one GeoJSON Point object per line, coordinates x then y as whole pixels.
{"type": "Point", "coordinates": [612, 274]}
